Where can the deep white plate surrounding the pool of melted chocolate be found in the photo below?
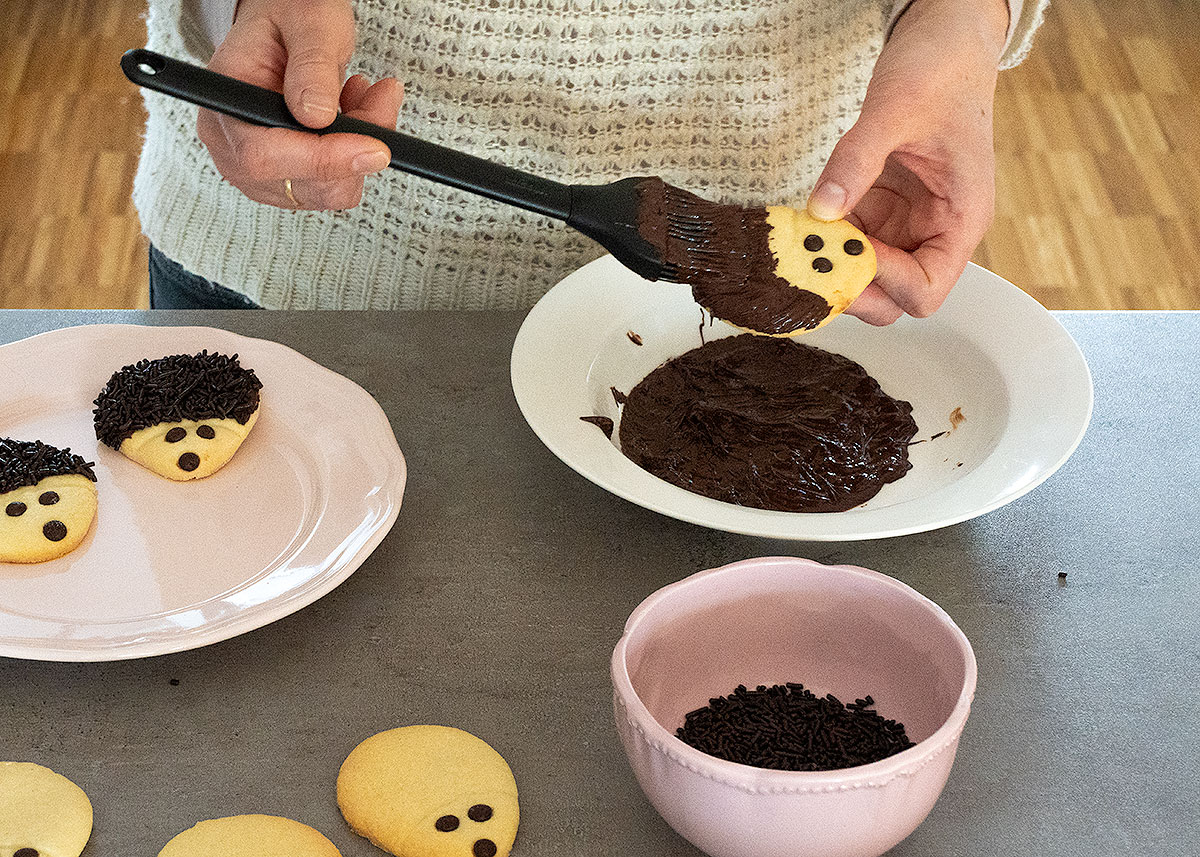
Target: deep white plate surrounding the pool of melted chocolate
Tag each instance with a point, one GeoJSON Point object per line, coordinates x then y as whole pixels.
{"type": "Point", "coordinates": [992, 351]}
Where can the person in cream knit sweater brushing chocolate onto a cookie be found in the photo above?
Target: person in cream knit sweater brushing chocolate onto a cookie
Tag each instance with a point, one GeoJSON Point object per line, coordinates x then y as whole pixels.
{"type": "Point", "coordinates": [874, 110]}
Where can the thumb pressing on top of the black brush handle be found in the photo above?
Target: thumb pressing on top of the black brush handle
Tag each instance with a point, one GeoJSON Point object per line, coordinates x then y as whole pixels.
{"type": "Point", "coordinates": [320, 41]}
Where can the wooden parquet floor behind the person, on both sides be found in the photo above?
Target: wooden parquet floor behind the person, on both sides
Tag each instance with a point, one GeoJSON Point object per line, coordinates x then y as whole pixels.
{"type": "Point", "coordinates": [1099, 158]}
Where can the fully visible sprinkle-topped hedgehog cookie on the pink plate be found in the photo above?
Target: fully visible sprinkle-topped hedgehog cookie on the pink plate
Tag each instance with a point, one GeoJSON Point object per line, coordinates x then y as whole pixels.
{"type": "Point", "coordinates": [183, 417]}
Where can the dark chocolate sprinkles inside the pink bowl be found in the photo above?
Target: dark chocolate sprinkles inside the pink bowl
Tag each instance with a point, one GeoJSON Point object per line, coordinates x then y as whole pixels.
{"type": "Point", "coordinates": [788, 728]}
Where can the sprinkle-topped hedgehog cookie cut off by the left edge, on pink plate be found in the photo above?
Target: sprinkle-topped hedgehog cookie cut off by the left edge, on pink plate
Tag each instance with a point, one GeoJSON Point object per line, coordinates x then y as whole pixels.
{"type": "Point", "coordinates": [47, 501]}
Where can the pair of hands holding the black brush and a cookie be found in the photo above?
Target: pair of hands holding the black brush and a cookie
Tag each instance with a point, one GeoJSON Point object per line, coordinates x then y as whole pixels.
{"type": "Point", "coordinates": [916, 172]}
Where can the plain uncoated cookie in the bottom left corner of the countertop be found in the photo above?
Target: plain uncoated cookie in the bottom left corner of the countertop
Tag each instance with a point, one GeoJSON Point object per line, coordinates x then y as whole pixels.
{"type": "Point", "coordinates": [43, 814]}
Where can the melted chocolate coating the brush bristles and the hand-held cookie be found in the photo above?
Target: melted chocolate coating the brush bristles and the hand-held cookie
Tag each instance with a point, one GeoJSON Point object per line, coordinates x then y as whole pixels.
{"type": "Point", "coordinates": [722, 251]}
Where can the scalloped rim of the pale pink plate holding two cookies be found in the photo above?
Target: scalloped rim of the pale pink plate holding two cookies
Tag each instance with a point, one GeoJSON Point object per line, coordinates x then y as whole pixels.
{"type": "Point", "coordinates": [271, 612]}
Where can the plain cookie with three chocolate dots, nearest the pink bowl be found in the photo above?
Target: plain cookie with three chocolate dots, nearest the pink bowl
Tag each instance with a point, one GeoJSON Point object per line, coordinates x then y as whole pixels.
{"type": "Point", "coordinates": [430, 792]}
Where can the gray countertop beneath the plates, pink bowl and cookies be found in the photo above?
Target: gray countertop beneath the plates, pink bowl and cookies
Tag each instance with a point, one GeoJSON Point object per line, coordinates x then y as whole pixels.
{"type": "Point", "coordinates": [495, 604]}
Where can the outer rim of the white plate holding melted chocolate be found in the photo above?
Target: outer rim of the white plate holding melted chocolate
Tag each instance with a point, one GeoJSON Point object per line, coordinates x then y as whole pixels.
{"type": "Point", "coordinates": [758, 523]}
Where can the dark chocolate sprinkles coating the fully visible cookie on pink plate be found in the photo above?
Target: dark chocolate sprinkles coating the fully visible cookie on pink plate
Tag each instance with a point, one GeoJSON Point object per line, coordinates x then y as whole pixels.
{"type": "Point", "coordinates": [183, 387]}
